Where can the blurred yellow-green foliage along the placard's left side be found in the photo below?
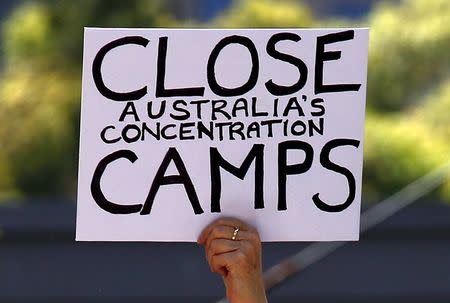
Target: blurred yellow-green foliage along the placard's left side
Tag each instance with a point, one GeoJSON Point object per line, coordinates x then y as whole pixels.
{"type": "Point", "coordinates": [41, 84]}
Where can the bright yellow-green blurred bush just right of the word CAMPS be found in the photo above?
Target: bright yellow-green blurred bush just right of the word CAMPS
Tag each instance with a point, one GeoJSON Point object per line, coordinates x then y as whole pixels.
{"type": "Point", "coordinates": [399, 150]}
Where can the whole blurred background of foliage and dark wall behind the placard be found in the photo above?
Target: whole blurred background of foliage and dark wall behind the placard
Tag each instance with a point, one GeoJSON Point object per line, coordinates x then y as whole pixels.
{"type": "Point", "coordinates": [403, 259]}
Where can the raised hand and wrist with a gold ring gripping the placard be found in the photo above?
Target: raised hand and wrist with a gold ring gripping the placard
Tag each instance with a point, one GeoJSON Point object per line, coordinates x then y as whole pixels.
{"type": "Point", "coordinates": [237, 261]}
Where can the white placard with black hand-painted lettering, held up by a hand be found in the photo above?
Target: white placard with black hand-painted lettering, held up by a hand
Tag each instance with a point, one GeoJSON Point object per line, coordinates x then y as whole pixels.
{"type": "Point", "coordinates": [181, 126]}
